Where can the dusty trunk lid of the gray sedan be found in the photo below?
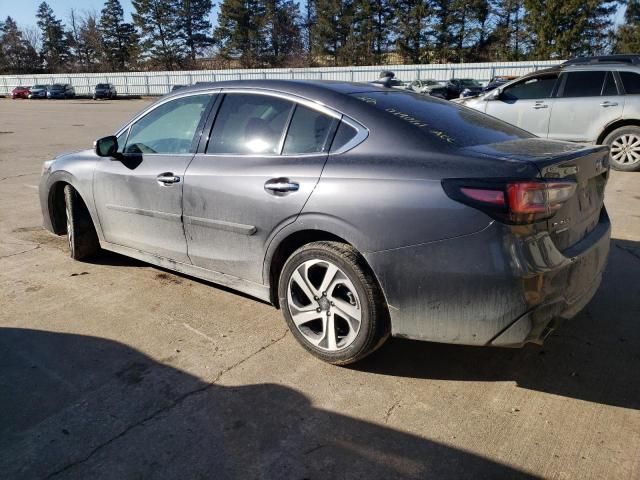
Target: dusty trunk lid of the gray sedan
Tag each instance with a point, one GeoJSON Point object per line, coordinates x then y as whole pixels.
{"type": "Point", "coordinates": [587, 165]}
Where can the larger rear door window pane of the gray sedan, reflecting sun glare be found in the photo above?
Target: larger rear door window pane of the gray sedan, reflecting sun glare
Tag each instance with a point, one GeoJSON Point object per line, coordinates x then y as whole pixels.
{"type": "Point", "coordinates": [248, 124]}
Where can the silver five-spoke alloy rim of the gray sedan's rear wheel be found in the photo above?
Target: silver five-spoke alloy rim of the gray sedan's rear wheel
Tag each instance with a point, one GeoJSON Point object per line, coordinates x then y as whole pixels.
{"type": "Point", "coordinates": [324, 305]}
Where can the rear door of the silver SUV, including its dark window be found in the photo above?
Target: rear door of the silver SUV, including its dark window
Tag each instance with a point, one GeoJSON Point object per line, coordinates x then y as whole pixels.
{"type": "Point", "coordinates": [587, 102]}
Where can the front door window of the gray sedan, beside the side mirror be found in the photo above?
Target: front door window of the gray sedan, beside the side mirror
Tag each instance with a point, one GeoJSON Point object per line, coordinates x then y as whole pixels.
{"type": "Point", "coordinates": [169, 128]}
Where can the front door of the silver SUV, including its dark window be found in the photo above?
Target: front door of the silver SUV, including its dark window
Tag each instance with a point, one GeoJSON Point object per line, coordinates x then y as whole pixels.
{"type": "Point", "coordinates": [526, 104]}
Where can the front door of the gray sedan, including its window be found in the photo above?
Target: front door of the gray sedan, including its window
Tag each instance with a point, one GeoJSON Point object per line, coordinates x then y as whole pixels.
{"type": "Point", "coordinates": [139, 198]}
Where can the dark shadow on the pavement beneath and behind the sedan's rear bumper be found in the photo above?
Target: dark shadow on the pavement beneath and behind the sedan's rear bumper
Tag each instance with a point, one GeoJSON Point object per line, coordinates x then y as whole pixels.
{"type": "Point", "coordinates": [593, 357]}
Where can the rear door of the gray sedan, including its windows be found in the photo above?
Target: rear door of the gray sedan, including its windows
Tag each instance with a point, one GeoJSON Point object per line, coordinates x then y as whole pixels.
{"type": "Point", "coordinates": [262, 161]}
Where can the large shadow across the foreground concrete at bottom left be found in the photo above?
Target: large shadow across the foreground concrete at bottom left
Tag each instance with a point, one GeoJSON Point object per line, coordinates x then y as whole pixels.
{"type": "Point", "coordinates": [75, 406]}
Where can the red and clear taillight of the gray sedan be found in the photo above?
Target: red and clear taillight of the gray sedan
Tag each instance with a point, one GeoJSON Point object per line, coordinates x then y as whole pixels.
{"type": "Point", "coordinates": [512, 201]}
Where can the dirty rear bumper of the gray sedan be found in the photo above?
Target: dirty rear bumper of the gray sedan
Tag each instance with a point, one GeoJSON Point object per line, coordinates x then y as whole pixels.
{"type": "Point", "coordinates": [500, 286]}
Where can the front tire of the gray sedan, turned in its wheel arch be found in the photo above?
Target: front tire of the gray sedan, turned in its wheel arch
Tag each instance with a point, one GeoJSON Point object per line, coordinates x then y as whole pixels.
{"type": "Point", "coordinates": [81, 233]}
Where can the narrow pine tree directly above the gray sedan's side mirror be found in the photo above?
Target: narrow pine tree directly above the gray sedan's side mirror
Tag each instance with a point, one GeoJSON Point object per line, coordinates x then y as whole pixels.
{"type": "Point", "coordinates": [119, 38]}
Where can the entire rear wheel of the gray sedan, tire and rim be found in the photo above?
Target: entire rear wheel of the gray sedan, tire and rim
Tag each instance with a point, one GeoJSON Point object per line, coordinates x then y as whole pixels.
{"type": "Point", "coordinates": [332, 303]}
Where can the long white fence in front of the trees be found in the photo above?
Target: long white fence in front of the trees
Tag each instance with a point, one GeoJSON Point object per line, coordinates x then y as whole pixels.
{"type": "Point", "coordinates": [159, 83]}
